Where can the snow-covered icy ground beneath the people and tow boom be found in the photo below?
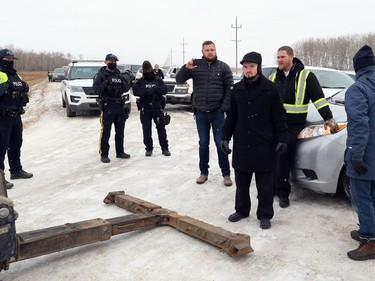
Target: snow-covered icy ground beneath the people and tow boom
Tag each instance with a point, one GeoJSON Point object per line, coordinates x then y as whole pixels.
{"type": "Point", "coordinates": [307, 241]}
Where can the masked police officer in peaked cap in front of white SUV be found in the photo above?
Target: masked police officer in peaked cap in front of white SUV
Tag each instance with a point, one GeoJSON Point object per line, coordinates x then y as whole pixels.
{"type": "Point", "coordinates": [109, 84]}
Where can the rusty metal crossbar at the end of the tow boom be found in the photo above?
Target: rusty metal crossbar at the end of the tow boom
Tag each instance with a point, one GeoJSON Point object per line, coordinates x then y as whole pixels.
{"type": "Point", "coordinates": [234, 244]}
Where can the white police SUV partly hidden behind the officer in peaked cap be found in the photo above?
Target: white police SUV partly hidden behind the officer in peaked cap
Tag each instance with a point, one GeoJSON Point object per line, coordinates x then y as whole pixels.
{"type": "Point", "coordinates": [76, 91]}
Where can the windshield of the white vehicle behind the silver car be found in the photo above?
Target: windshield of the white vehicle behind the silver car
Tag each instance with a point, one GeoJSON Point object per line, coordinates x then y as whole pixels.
{"type": "Point", "coordinates": [333, 79]}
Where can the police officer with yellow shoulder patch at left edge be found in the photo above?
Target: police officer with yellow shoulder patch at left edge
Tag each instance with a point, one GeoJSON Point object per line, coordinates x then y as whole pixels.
{"type": "Point", "coordinates": [13, 97]}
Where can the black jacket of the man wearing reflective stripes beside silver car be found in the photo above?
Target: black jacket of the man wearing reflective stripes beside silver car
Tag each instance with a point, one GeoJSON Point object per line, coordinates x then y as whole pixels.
{"type": "Point", "coordinates": [313, 92]}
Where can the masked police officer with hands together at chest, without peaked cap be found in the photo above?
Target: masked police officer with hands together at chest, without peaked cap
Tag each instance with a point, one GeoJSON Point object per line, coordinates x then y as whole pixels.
{"type": "Point", "coordinates": [150, 89]}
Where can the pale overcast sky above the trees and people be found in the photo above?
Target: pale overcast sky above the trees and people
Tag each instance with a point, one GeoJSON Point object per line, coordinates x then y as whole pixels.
{"type": "Point", "coordinates": [160, 30]}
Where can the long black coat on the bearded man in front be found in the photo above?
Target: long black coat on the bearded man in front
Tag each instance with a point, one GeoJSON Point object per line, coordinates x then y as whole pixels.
{"type": "Point", "coordinates": [257, 121]}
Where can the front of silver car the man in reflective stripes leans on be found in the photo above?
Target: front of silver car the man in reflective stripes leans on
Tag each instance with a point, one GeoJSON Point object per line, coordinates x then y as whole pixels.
{"type": "Point", "coordinates": [319, 156]}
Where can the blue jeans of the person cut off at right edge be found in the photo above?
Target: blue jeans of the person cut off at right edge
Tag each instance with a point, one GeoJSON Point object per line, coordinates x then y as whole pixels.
{"type": "Point", "coordinates": [362, 193]}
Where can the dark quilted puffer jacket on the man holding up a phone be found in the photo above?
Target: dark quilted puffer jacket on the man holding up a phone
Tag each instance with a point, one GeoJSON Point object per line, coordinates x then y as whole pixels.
{"type": "Point", "coordinates": [212, 84]}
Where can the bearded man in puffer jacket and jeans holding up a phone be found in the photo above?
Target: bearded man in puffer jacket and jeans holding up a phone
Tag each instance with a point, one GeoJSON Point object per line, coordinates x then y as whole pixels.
{"type": "Point", "coordinates": [212, 83]}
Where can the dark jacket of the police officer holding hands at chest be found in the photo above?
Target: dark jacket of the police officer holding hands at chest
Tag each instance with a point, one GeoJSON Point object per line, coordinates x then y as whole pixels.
{"type": "Point", "coordinates": [150, 92]}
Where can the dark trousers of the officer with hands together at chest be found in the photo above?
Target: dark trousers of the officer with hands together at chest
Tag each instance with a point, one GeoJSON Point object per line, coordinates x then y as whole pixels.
{"type": "Point", "coordinates": [147, 115]}
